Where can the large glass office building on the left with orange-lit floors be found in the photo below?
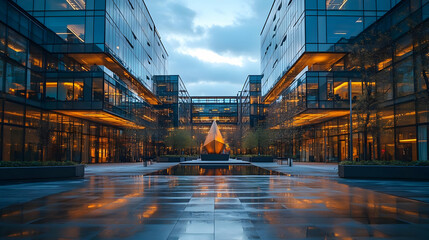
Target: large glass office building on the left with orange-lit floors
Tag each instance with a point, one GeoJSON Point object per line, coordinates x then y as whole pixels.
{"type": "Point", "coordinates": [77, 80]}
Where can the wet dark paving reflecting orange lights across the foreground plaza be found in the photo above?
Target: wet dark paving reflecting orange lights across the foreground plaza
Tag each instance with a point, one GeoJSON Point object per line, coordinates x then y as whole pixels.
{"type": "Point", "coordinates": [125, 205]}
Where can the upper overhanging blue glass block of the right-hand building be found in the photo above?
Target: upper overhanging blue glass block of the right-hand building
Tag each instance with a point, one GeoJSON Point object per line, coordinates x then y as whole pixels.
{"type": "Point", "coordinates": [294, 28]}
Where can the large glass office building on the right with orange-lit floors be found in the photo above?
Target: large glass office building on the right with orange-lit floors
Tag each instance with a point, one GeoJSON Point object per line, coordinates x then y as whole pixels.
{"type": "Point", "coordinates": [316, 55]}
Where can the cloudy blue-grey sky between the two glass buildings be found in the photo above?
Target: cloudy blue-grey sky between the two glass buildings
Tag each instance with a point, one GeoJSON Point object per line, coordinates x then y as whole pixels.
{"type": "Point", "coordinates": [212, 44]}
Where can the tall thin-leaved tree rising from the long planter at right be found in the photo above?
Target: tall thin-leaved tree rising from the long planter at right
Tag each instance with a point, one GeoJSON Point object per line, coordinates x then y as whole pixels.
{"type": "Point", "coordinates": [368, 52]}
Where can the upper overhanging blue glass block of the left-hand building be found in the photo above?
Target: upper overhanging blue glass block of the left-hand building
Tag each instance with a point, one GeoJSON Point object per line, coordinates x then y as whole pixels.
{"type": "Point", "coordinates": [121, 30]}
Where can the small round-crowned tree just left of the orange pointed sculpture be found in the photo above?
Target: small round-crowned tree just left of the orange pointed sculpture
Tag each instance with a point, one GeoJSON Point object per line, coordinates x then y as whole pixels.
{"type": "Point", "coordinates": [179, 140]}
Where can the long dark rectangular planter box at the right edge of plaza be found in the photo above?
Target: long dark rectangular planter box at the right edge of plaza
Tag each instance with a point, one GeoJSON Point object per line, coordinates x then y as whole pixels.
{"type": "Point", "coordinates": [383, 172]}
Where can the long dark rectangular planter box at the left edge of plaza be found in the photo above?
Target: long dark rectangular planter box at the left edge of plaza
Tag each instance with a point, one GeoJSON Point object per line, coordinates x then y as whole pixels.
{"type": "Point", "coordinates": [23, 173]}
